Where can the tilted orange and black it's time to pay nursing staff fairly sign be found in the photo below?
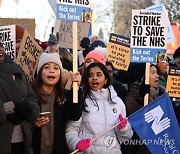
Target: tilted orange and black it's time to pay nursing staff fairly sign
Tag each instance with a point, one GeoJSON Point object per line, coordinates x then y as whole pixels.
{"type": "Point", "coordinates": [119, 51]}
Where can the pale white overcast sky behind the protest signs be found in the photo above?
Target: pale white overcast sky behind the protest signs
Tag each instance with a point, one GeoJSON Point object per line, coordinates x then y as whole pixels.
{"type": "Point", "coordinates": [38, 9]}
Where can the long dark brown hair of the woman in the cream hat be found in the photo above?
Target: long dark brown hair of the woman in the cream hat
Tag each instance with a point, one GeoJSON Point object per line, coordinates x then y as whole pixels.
{"type": "Point", "coordinates": [59, 87]}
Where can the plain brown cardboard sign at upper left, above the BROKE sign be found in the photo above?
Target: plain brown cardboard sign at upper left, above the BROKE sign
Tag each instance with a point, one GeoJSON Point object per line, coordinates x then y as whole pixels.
{"type": "Point", "coordinates": [28, 24]}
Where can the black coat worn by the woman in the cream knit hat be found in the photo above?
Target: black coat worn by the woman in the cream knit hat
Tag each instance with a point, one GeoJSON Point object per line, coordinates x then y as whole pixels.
{"type": "Point", "coordinates": [62, 113]}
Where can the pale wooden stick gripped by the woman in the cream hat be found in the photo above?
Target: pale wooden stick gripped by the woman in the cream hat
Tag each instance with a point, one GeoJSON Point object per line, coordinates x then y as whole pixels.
{"type": "Point", "coordinates": [75, 62]}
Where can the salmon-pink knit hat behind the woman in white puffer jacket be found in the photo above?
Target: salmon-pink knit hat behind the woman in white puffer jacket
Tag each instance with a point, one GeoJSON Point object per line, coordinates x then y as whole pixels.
{"type": "Point", "coordinates": [96, 55]}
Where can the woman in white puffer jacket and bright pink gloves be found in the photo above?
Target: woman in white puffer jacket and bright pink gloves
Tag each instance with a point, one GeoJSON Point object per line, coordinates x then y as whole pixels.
{"type": "Point", "coordinates": [102, 109]}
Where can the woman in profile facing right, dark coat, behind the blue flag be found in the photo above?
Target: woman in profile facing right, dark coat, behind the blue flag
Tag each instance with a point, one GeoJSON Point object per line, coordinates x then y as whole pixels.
{"type": "Point", "coordinates": [135, 98]}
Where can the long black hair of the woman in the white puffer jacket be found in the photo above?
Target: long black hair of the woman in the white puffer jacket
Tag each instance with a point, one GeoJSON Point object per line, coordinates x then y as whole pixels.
{"type": "Point", "coordinates": [85, 84]}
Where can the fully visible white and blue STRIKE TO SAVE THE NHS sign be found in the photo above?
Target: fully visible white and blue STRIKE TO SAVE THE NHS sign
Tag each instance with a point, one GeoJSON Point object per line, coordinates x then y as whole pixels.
{"type": "Point", "coordinates": [148, 35]}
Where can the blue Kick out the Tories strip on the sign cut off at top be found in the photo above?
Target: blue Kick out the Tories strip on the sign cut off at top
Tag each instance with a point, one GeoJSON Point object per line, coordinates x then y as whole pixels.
{"type": "Point", "coordinates": [73, 13]}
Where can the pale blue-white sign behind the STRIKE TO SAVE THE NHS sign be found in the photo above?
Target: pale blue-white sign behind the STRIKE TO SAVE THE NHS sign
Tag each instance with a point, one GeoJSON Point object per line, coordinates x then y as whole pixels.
{"type": "Point", "coordinates": [161, 7]}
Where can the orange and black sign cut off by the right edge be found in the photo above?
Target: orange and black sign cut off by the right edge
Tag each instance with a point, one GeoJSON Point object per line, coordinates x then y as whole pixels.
{"type": "Point", "coordinates": [173, 82]}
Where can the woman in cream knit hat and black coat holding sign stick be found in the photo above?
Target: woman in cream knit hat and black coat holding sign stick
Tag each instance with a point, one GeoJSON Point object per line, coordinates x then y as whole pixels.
{"type": "Point", "coordinates": [49, 131]}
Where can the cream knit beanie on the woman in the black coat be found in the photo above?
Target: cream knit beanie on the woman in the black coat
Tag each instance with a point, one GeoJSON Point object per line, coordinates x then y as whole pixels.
{"type": "Point", "coordinates": [48, 58]}
